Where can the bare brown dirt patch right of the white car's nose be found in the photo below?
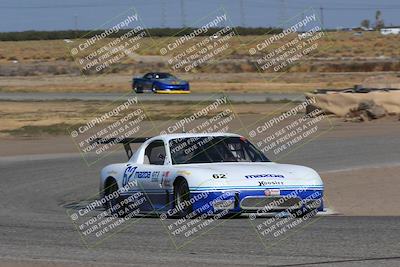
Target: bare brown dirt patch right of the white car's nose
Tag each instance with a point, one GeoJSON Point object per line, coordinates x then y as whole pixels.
{"type": "Point", "coordinates": [364, 192]}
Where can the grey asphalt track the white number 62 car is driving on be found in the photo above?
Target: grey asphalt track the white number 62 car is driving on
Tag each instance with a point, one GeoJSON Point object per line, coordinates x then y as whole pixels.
{"type": "Point", "coordinates": [35, 229]}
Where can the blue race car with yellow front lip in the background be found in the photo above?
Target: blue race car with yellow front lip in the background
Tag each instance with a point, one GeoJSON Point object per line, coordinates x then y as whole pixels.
{"type": "Point", "coordinates": [161, 83]}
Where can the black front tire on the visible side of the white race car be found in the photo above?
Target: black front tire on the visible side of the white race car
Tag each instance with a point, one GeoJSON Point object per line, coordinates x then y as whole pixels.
{"type": "Point", "coordinates": [182, 197]}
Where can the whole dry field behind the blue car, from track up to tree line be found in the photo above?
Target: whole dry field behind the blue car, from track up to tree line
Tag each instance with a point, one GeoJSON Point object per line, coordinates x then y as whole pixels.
{"type": "Point", "coordinates": [340, 61]}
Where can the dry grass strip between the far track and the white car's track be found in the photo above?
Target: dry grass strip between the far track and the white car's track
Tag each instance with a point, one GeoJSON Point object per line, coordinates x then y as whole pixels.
{"type": "Point", "coordinates": [32, 118]}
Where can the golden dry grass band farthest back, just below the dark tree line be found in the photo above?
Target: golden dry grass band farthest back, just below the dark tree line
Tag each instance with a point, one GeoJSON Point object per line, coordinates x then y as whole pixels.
{"type": "Point", "coordinates": [335, 44]}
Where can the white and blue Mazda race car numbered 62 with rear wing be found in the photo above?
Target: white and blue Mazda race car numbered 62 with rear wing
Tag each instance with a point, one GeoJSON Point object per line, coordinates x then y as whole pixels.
{"type": "Point", "coordinates": [191, 174]}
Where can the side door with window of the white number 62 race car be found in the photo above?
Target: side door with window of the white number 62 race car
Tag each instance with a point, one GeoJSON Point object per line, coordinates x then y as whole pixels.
{"type": "Point", "coordinates": [150, 174]}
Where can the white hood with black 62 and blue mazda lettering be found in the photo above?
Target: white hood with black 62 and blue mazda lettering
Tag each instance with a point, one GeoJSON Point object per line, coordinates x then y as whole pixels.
{"type": "Point", "coordinates": [262, 174]}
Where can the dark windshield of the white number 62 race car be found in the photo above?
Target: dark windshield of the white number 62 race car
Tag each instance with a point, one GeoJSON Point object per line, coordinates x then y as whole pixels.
{"type": "Point", "coordinates": [214, 149]}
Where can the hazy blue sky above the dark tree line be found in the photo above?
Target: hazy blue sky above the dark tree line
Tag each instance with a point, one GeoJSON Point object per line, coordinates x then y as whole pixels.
{"type": "Point", "coordinates": [22, 15]}
